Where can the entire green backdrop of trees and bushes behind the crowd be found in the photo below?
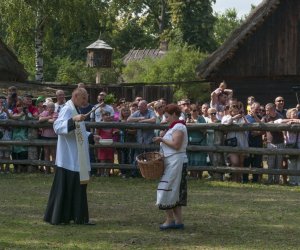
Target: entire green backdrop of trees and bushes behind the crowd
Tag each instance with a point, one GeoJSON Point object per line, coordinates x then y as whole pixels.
{"type": "Point", "coordinates": [190, 27]}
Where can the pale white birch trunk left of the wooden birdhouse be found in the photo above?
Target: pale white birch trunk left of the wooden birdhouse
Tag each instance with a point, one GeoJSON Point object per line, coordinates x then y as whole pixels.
{"type": "Point", "coordinates": [39, 35]}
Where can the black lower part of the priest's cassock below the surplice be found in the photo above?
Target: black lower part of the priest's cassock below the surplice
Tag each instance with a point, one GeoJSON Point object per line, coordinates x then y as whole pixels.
{"type": "Point", "coordinates": [67, 200]}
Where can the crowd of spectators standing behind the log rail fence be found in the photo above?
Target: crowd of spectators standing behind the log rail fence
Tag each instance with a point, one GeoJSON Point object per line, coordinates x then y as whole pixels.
{"type": "Point", "coordinates": [223, 108]}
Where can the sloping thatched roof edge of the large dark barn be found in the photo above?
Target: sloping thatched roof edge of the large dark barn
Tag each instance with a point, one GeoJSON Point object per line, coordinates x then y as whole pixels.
{"type": "Point", "coordinates": [236, 39]}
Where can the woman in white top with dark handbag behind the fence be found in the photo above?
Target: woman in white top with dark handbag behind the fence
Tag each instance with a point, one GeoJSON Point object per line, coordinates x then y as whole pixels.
{"type": "Point", "coordinates": [236, 139]}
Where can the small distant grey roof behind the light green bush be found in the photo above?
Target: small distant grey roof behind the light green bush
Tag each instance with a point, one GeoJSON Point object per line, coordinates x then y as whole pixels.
{"type": "Point", "coordinates": [140, 54]}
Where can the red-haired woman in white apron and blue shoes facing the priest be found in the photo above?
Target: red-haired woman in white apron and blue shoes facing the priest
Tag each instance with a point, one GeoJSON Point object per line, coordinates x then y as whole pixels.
{"type": "Point", "coordinates": [172, 188]}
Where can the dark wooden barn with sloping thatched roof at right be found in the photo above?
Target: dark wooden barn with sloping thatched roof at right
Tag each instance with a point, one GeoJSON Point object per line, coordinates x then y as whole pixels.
{"type": "Point", "coordinates": [262, 56]}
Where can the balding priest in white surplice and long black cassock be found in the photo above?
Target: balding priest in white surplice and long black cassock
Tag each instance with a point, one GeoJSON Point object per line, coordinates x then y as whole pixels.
{"type": "Point", "coordinates": [68, 198]}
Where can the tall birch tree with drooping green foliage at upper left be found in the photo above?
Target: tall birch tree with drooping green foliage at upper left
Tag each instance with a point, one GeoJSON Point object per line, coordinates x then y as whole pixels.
{"type": "Point", "coordinates": [49, 28]}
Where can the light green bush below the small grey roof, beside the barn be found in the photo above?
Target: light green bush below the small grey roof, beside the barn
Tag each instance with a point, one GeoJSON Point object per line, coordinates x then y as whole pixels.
{"type": "Point", "coordinates": [178, 65]}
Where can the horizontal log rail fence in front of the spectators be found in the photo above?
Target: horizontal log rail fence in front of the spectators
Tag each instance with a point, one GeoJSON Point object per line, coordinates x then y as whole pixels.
{"type": "Point", "coordinates": [217, 149]}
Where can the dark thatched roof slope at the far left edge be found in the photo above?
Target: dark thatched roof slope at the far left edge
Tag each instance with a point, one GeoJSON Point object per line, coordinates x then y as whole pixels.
{"type": "Point", "coordinates": [10, 68]}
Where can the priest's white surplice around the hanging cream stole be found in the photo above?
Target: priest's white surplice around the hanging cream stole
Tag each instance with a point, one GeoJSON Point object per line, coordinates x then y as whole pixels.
{"type": "Point", "coordinates": [67, 150]}
